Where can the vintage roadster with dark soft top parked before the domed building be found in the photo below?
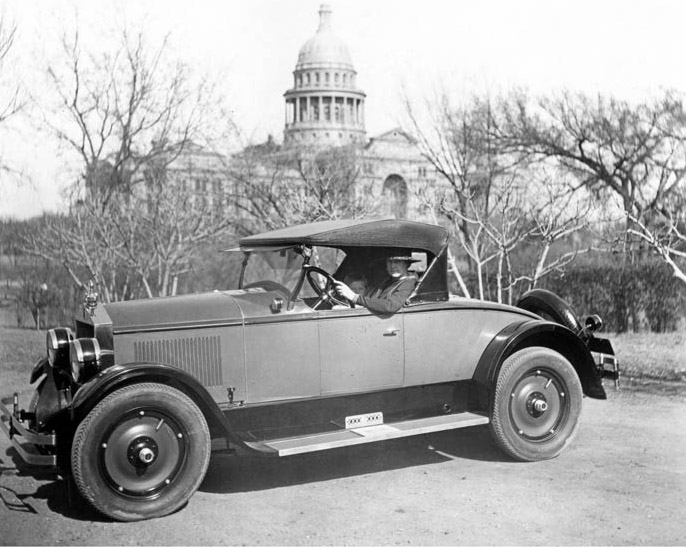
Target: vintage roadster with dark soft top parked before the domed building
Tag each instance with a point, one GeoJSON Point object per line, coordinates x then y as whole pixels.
{"type": "Point", "coordinates": [132, 401]}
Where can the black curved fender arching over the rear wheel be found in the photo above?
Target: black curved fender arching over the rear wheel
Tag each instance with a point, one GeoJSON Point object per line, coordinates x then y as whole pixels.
{"type": "Point", "coordinates": [518, 336]}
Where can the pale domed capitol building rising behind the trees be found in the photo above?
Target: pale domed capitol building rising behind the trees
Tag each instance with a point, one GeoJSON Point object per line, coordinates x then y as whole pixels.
{"type": "Point", "coordinates": [325, 110]}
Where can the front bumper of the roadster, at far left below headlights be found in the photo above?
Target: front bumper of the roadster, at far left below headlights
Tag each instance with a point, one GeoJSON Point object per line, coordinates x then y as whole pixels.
{"type": "Point", "coordinates": [34, 448]}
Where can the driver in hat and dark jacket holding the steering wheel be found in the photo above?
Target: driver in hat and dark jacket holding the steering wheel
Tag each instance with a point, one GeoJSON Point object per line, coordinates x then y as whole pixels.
{"type": "Point", "coordinates": [391, 294]}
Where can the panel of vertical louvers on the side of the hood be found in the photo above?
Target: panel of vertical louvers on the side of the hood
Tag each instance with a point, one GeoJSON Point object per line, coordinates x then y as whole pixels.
{"type": "Point", "coordinates": [199, 356]}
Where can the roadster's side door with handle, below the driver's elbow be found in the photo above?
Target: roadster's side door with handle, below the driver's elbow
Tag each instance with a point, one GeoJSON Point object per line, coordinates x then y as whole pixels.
{"type": "Point", "coordinates": [360, 351]}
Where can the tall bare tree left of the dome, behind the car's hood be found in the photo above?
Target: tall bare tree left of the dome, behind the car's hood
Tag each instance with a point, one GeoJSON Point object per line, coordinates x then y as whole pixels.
{"type": "Point", "coordinates": [137, 213]}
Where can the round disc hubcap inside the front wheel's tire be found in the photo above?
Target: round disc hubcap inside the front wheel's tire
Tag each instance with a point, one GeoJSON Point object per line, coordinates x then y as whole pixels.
{"type": "Point", "coordinates": [143, 453]}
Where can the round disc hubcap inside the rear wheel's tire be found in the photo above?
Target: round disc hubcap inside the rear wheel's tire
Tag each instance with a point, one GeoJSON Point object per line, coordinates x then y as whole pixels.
{"type": "Point", "coordinates": [538, 405]}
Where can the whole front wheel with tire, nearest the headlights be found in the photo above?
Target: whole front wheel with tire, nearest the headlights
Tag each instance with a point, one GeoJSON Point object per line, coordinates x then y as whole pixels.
{"type": "Point", "coordinates": [141, 452]}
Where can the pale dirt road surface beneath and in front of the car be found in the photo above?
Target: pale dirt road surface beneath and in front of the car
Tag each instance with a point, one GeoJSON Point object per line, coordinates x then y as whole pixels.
{"type": "Point", "coordinates": [623, 481]}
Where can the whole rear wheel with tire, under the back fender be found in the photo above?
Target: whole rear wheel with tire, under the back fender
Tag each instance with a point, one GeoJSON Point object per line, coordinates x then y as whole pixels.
{"type": "Point", "coordinates": [537, 404]}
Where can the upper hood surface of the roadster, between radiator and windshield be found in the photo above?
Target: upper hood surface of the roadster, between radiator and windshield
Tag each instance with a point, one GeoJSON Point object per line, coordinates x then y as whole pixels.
{"type": "Point", "coordinates": [189, 311]}
